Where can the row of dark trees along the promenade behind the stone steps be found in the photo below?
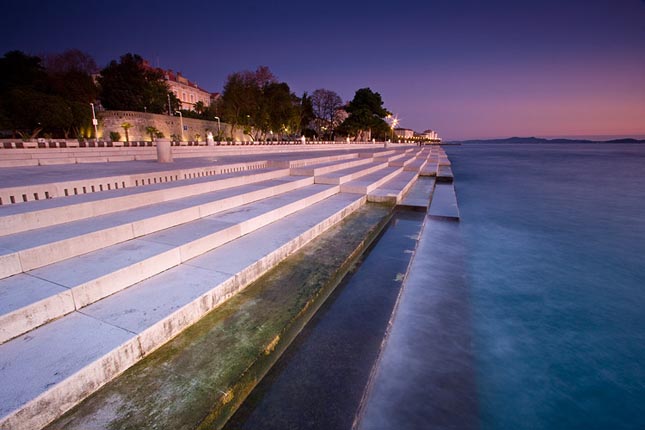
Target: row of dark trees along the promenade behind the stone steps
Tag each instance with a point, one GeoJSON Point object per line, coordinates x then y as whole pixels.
{"type": "Point", "coordinates": [50, 96]}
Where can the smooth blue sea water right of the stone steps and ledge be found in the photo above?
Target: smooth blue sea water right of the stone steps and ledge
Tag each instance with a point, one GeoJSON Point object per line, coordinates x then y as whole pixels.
{"type": "Point", "coordinates": [555, 243]}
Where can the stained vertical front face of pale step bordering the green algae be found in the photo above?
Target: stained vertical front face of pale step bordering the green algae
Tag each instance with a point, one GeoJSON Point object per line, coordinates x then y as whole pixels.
{"type": "Point", "coordinates": [61, 397]}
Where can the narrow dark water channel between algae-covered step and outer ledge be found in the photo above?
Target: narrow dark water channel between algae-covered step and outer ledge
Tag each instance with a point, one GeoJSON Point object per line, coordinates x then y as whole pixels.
{"type": "Point", "coordinates": [319, 381]}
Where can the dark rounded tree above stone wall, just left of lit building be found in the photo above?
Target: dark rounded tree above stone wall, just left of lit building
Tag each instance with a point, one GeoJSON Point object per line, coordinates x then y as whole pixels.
{"type": "Point", "coordinates": [131, 84]}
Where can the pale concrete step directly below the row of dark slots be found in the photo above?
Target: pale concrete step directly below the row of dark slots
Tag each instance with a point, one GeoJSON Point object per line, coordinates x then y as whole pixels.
{"type": "Point", "coordinates": [43, 213]}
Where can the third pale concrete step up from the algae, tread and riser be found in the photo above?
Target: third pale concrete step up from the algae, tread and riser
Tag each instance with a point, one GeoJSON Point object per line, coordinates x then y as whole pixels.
{"type": "Point", "coordinates": [37, 248]}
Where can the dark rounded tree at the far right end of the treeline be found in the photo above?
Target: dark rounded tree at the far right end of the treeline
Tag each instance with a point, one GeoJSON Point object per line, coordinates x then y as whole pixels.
{"type": "Point", "coordinates": [366, 114]}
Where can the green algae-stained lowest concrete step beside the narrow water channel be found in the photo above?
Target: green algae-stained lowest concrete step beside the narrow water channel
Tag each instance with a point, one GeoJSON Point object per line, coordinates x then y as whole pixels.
{"type": "Point", "coordinates": [199, 378]}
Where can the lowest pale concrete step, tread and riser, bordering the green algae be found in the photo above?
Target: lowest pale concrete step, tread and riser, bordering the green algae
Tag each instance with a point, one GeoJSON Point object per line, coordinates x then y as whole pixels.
{"type": "Point", "coordinates": [48, 371]}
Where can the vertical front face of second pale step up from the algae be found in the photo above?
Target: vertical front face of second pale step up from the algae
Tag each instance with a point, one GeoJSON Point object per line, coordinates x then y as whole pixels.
{"type": "Point", "coordinates": [34, 315]}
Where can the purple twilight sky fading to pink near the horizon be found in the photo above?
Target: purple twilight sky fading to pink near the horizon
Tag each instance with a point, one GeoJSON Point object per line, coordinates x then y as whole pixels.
{"type": "Point", "coordinates": [469, 69]}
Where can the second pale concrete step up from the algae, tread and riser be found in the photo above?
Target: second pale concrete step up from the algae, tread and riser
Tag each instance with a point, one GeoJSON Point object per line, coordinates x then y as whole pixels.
{"type": "Point", "coordinates": [41, 295]}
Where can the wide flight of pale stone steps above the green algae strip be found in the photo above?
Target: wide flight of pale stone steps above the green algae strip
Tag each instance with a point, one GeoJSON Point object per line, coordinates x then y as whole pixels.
{"type": "Point", "coordinates": [90, 283]}
